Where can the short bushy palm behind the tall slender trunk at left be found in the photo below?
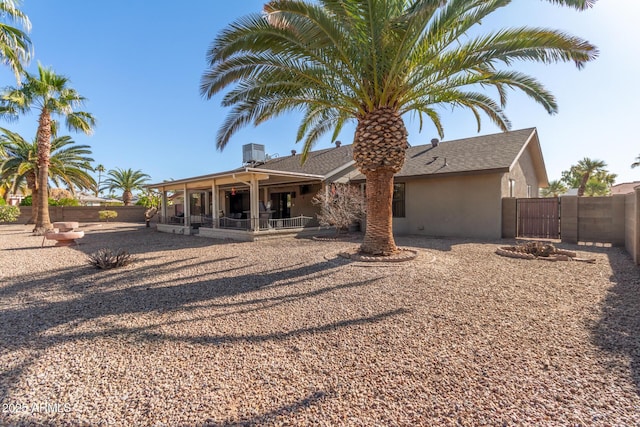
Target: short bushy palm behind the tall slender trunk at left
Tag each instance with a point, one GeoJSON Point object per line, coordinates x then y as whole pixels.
{"type": "Point", "coordinates": [69, 162]}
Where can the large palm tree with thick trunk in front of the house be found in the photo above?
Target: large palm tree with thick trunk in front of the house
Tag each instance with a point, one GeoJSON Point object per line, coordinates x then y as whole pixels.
{"type": "Point", "coordinates": [374, 61]}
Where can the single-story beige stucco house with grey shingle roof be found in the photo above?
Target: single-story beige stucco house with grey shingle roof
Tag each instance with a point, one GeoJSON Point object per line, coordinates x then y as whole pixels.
{"type": "Point", "coordinates": [452, 188]}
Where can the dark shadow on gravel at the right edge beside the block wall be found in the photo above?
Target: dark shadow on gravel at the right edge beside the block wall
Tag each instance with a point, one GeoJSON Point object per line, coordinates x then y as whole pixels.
{"type": "Point", "coordinates": [618, 330]}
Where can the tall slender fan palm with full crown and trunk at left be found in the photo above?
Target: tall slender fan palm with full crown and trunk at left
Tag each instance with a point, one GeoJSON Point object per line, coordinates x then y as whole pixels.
{"type": "Point", "coordinates": [49, 94]}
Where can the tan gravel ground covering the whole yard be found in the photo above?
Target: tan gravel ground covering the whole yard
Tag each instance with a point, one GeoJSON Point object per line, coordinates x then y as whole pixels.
{"type": "Point", "coordinates": [284, 332]}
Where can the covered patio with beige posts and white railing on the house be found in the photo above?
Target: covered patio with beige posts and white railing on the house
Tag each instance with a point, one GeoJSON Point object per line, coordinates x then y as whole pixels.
{"type": "Point", "coordinates": [242, 204]}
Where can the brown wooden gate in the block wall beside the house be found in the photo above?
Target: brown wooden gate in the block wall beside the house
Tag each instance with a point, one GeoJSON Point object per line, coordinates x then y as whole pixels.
{"type": "Point", "coordinates": [539, 218]}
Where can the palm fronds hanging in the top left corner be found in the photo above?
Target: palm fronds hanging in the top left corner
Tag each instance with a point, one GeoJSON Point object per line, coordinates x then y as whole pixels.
{"type": "Point", "coordinates": [15, 45]}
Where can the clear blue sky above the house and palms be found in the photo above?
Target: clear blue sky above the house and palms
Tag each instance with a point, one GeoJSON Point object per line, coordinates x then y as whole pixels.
{"type": "Point", "coordinates": [139, 64]}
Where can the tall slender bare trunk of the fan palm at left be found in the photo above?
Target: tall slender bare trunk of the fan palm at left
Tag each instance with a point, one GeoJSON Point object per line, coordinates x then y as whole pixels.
{"type": "Point", "coordinates": [43, 222]}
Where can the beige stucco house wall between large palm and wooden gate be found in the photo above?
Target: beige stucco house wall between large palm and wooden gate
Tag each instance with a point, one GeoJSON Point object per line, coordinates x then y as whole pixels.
{"type": "Point", "coordinates": [461, 206]}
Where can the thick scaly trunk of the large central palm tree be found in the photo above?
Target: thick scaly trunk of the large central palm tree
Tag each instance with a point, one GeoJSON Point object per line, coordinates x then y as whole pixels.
{"type": "Point", "coordinates": [378, 150]}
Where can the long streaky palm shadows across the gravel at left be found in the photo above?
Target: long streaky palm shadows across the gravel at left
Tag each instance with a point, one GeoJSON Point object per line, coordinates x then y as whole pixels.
{"type": "Point", "coordinates": [83, 294]}
